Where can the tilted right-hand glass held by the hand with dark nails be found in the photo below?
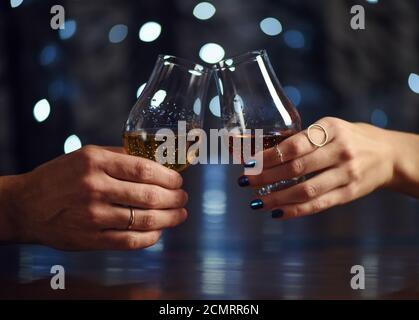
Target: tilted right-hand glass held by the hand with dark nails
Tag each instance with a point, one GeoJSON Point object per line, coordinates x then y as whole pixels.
{"type": "Point", "coordinates": [252, 98]}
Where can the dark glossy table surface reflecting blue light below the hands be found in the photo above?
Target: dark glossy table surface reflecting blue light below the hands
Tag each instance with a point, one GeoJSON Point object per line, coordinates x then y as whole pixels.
{"type": "Point", "coordinates": [227, 251]}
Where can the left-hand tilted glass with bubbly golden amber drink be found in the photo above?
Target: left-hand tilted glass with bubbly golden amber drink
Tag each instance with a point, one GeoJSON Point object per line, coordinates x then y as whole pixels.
{"type": "Point", "coordinates": [175, 92]}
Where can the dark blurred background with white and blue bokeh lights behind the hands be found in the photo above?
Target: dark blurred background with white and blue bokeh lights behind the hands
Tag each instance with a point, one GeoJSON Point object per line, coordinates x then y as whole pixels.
{"type": "Point", "coordinates": [62, 89]}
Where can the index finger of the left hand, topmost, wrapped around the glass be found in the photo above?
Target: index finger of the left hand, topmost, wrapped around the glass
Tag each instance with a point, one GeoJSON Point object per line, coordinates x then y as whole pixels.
{"type": "Point", "coordinates": [136, 169]}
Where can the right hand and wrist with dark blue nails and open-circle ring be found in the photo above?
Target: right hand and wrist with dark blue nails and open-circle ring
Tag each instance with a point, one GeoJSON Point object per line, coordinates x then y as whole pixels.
{"type": "Point", "coordinates": [358, 159]}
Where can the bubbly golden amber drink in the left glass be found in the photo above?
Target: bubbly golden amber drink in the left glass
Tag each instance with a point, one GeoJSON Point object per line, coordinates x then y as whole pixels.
{"type": "Point", "coordinates": [145, 145]}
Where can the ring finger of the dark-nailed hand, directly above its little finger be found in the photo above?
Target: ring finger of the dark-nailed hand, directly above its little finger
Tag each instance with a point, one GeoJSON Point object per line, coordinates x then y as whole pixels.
{"type": "Point", "coordinates": [307, 190]}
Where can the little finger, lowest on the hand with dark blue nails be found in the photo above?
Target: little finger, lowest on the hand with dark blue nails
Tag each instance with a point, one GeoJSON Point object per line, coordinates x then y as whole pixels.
{"type": "Point", "coordinates": [333, 198]}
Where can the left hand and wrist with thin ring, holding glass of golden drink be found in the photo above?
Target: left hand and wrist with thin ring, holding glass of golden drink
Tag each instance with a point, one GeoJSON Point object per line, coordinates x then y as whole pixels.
{"type": "Point", "coordinates": [80, 201]}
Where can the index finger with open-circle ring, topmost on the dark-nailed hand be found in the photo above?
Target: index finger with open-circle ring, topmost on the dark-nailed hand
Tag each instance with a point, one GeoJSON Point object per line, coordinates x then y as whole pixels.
{"type": "Point", "coordinates": [297, 145]}
